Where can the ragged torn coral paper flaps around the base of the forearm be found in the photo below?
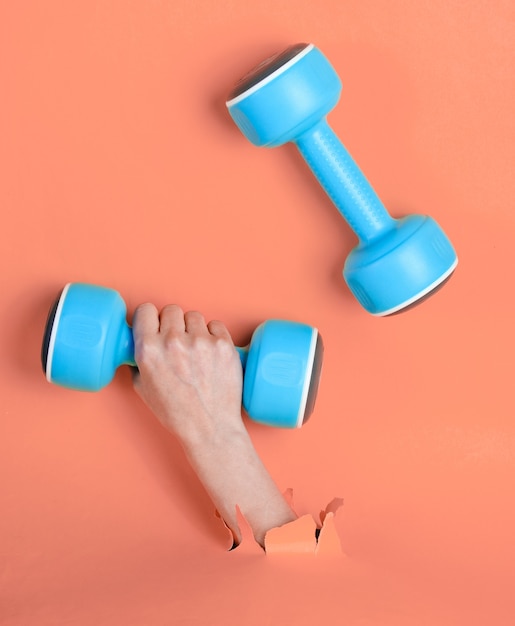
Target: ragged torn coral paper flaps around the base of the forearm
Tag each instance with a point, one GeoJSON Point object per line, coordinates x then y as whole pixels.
{"type": "Point", "coordinates": [301, 536]}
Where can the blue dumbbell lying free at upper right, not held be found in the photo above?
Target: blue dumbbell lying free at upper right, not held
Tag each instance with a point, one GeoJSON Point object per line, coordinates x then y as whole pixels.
{"type": "Point", "coordinates": [397, 262]}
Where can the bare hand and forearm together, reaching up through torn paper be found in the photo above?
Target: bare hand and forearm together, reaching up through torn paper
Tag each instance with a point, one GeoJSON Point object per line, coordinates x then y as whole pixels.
{"type": "Point", "coordinates": [190, 376]}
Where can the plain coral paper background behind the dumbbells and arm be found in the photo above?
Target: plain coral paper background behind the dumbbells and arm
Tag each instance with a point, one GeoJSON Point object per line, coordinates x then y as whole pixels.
{"type": "Point", "coordinates": [119, 165]}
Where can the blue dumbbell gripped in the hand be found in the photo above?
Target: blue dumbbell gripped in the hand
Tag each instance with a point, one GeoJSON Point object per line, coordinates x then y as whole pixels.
{"type": "Point", "coordinates": [87, 338]}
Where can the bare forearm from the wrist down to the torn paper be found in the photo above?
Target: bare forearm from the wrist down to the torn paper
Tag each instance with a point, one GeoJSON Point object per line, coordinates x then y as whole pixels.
{"type": "Point", "coordinates": [233, 475]}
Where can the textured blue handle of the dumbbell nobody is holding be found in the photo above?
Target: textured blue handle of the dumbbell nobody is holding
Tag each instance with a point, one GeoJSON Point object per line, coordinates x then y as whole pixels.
{"type": "Point", "coordinates": [344, 182]}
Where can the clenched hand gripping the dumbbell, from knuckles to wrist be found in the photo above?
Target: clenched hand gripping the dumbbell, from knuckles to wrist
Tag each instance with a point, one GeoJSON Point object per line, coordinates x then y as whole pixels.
{"type": "Point", "coordinates": [189, 373]}
